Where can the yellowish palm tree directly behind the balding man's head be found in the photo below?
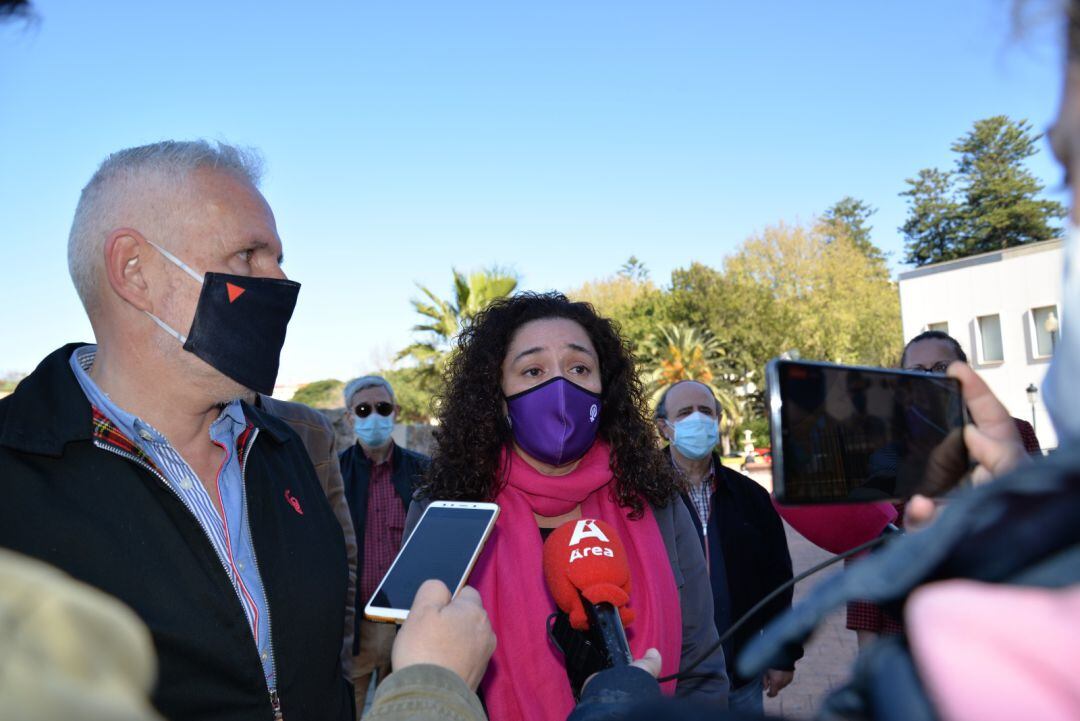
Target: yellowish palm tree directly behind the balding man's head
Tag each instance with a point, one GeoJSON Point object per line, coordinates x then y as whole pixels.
{"type": "Point", "coordinates": [681, 353]}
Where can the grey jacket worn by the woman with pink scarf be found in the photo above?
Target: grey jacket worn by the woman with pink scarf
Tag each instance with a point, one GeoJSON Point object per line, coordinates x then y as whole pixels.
{"type": "Point", "coordinates": [710, 683]}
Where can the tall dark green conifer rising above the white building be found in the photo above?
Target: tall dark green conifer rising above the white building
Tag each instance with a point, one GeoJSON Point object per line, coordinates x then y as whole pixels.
{"type": "Point", "coordinates": [991, 200]}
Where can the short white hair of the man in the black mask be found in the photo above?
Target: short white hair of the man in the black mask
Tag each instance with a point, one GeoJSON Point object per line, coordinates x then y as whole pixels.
{"type": "Point", "coordinates": [141, 183]}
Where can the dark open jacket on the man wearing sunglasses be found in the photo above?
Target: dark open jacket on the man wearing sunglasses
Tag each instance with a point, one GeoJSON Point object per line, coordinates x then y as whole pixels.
{"type": "Point", "coordinates": [409, 467]}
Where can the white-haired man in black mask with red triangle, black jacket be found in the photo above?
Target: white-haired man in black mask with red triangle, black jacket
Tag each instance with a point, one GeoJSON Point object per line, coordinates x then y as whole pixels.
{"type": "Point", "coordinates": [134, 467]}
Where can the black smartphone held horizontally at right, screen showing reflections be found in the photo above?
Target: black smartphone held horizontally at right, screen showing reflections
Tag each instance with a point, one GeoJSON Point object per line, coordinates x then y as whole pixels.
{"type": "Point", "coordinates": [852, 434]}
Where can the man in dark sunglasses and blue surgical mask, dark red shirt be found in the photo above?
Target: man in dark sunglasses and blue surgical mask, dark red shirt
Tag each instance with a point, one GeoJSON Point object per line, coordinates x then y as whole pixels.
{"type": "Point", "coordinates": [380, 478]}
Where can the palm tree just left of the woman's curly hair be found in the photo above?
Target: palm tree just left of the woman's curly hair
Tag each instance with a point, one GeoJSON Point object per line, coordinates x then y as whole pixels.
{"type": "Point", "coordinates": [443, 319]}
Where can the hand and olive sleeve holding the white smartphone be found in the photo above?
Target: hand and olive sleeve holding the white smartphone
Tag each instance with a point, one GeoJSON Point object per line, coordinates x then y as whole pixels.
{"type": "Point", "coordinates": [439, 659]}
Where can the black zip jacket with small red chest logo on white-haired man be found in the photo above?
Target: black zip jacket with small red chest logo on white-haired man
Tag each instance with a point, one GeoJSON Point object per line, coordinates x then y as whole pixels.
{"type": "Point", "coordinates": [73, 500]}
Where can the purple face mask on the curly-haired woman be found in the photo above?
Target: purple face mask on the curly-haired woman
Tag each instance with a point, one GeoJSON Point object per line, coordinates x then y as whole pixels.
{"type": "Point", "coordinates": [556, 423]}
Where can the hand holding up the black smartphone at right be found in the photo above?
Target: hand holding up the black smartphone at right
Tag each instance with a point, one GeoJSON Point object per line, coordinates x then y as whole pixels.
{"type": "Point", "coordinates": [992, 441]}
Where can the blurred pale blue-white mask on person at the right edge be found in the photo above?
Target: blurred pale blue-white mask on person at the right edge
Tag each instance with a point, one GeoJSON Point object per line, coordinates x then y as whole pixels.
{"type": "Point", "coordinates": [1060, 386]}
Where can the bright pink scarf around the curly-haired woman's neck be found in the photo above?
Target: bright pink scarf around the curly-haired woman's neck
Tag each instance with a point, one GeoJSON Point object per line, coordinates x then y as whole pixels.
{"type": "Point", "coordinates": [526, 678]}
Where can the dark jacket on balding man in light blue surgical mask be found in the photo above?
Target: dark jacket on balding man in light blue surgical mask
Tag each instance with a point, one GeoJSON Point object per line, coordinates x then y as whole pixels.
{"type": "Point", "coordinates": [747, 536]}
